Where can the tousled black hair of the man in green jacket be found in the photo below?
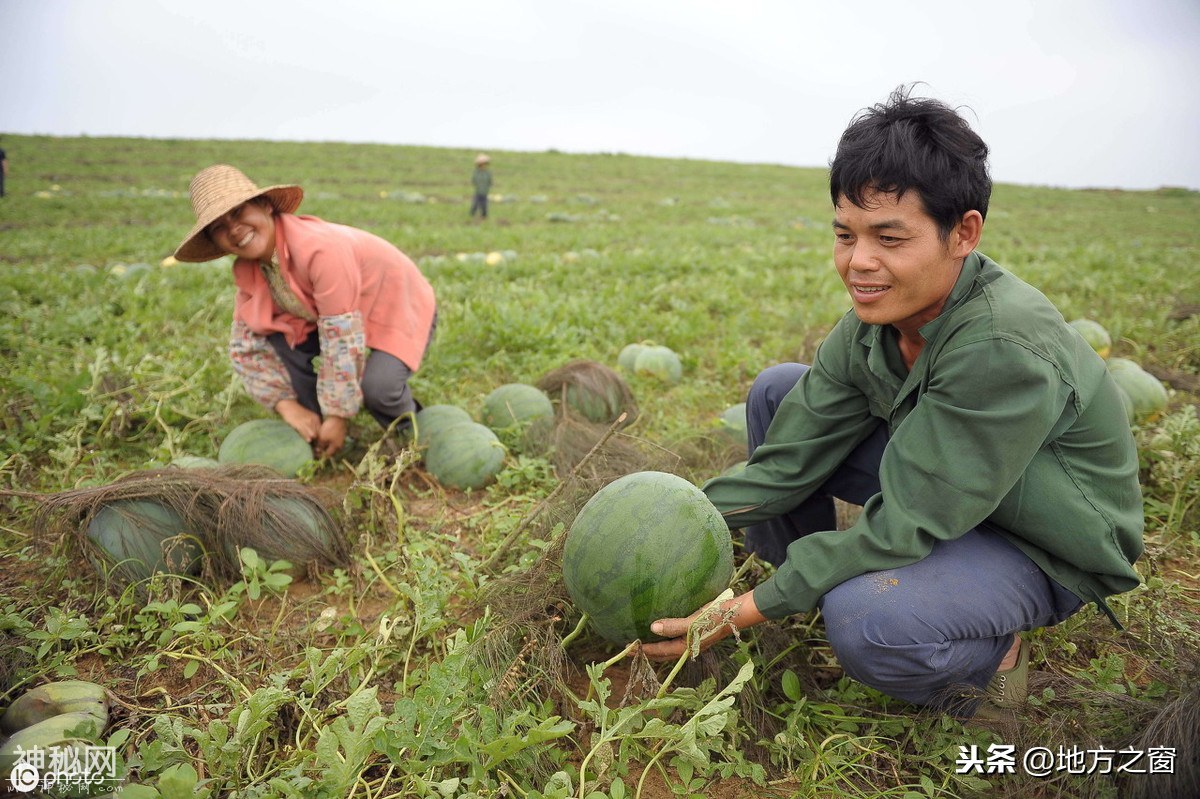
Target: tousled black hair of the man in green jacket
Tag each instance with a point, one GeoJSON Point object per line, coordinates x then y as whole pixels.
{"type": "Point", "coordinates": [914, 145]}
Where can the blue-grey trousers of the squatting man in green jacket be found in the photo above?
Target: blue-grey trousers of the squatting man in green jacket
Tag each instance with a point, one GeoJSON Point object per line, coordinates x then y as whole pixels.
{"type": "Point", "coordinates": [932, 633]}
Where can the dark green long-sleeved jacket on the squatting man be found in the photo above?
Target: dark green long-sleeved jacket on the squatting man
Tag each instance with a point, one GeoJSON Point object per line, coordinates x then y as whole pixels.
{"type": "Point", "coordinates": [1007, 417]}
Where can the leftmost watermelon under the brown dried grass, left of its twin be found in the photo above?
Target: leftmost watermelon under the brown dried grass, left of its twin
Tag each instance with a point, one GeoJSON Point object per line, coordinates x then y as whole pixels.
{"type": "Point", "coordinates": [143, 537]}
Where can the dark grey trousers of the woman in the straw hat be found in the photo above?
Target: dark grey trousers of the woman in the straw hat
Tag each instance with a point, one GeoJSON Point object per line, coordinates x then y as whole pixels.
{"type": "Point", "coordinates": [386, 392]}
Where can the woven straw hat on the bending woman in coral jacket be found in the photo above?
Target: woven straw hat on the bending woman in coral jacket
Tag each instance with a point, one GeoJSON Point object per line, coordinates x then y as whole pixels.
{"type": "Point", "coordinates": [215, 193]}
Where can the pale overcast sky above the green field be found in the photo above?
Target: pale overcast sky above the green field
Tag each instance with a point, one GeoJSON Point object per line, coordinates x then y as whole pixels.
{"type": "Point", "coordinates": [1067, 93]}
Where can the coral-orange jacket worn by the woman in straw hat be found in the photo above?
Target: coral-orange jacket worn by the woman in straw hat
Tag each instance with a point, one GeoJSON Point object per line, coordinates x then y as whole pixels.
{"type": "Point", "coordinates": [335, 269]}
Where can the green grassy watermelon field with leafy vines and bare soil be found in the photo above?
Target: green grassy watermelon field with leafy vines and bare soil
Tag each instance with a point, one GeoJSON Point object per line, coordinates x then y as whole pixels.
{"type": "Point", "coordinates": [397, 676]}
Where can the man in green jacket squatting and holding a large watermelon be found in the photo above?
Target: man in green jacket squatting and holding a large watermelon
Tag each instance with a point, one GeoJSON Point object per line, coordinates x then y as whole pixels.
{"type": "Point", "coordinates": [985, 440]}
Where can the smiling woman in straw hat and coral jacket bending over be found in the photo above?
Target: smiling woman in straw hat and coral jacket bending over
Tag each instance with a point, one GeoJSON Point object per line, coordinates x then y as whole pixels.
{"type": "Point", "coordinates": [311, 289]}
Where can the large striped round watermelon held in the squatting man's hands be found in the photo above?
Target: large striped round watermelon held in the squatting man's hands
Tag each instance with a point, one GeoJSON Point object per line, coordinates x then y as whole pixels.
{"type": "Point", "coordinates": [647, 546]}
